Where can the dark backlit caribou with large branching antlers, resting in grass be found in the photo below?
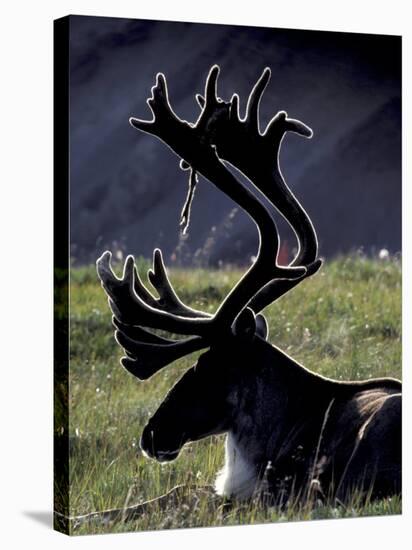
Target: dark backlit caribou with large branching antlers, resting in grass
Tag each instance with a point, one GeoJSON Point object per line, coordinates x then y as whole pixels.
{"type": "Point", "coordinates": [288, 430]}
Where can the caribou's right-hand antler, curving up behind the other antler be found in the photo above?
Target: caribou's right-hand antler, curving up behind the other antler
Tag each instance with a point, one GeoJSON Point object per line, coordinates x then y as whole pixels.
{"type": "Point", "coordinates": [256, 154]}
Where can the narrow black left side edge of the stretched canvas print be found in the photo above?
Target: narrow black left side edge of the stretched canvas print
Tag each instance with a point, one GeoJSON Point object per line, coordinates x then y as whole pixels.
{"type": "Point", "coordinates": [61, 275]}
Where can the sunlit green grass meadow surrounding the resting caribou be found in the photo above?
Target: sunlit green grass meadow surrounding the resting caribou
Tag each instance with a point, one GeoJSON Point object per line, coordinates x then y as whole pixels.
{"type": "Point", "coordinates": [344, 323]}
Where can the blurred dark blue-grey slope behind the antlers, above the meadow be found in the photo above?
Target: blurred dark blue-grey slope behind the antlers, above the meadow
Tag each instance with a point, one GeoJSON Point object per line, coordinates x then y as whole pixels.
{"type": "Point", "coordinates": [127, 189]}
